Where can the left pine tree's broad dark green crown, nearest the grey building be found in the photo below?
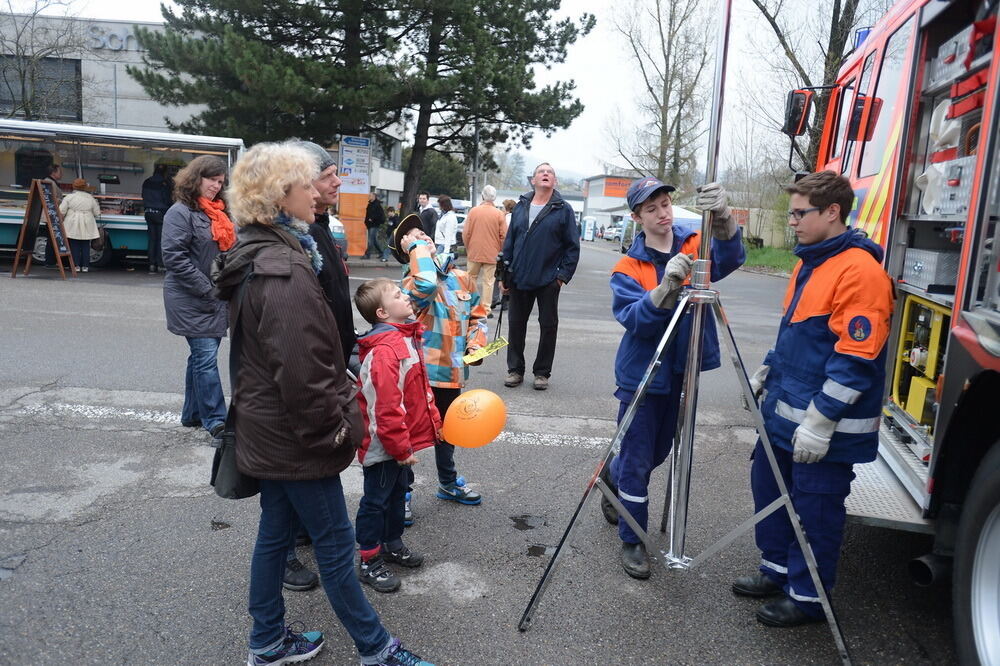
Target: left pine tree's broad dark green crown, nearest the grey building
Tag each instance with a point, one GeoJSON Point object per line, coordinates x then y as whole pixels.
{"type": "Point", "coordinates": [272, 69]}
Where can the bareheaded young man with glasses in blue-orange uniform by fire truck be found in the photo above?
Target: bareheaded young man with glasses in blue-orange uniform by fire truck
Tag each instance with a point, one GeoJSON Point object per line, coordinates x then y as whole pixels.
{"type": "Point", "coordinates": [821, 396]}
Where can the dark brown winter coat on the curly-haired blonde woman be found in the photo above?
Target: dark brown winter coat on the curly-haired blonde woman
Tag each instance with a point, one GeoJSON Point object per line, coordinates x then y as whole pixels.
{"type": "Point", "coordinates": [293, 395]}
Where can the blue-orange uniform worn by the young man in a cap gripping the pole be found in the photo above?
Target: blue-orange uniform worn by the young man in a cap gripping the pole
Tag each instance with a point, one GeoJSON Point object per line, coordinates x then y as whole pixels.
{"type": "Point", "coordinates": [649, 437]}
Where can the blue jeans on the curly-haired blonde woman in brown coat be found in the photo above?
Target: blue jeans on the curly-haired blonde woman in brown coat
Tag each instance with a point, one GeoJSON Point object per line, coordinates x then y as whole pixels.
{"type": "Point", "coordinates": [321, 507]}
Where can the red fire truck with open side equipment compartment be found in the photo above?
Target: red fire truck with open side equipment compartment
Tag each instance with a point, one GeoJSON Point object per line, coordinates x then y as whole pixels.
{"type": "Point", "coordinates": [914, 122]}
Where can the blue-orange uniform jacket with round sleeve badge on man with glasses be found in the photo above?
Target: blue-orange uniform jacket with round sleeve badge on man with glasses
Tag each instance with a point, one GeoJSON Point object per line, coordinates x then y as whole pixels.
{"type": "Point", "coordinates": [831, 346]}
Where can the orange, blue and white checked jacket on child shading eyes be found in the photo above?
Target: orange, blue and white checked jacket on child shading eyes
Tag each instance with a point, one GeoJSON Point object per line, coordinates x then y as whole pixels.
{"type": "Point", "coordinates": [447, 304]}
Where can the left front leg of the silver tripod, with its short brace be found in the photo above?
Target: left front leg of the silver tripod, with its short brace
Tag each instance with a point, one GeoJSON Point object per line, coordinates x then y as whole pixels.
{"type": "Point", "coordinates": [623, 426]}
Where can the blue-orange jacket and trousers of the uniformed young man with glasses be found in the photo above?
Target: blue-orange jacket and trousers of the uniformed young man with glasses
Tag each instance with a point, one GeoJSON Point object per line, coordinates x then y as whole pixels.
{"type": "Point", "coordinates": [830, 351]}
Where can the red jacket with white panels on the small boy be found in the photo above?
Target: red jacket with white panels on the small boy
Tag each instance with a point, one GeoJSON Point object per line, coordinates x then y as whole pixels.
{"type": "Point", "coordinates": [395, 397]}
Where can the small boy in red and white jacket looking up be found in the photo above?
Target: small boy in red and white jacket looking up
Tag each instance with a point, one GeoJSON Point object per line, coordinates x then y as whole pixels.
{"type": "Point", "coordinates": [400, 419]}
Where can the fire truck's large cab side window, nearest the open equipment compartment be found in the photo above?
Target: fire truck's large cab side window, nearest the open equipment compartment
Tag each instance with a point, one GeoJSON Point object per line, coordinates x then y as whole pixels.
{"type": "Point", "coordinates": [889, 99]}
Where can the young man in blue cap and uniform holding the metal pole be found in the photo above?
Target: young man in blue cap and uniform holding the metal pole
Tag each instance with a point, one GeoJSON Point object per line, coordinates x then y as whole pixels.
{"type": "Point", "coordinates": [645, 286]}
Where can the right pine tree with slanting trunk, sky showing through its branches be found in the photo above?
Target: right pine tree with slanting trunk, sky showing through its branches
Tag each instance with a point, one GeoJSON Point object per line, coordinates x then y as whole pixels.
{"type": "Point", "coordinates": [471, 65]}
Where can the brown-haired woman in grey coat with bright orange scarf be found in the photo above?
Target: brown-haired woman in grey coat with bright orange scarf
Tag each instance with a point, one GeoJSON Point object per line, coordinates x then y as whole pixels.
{"type": "Point", "coordinates": [195, 230]}
